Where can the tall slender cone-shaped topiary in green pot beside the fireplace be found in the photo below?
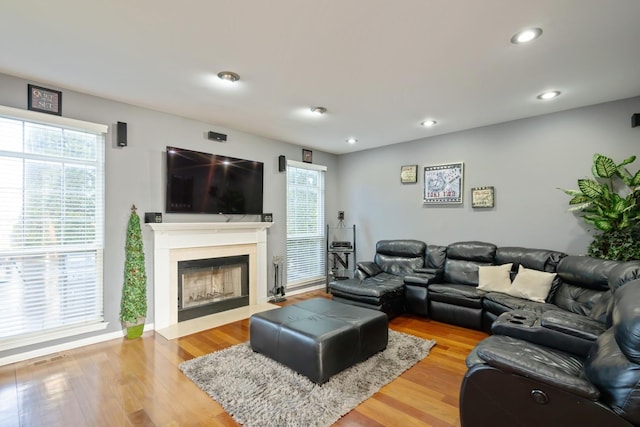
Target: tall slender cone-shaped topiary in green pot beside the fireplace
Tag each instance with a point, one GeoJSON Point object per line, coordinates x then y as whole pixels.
{"type": "Point", "coordinates": [133, 308]}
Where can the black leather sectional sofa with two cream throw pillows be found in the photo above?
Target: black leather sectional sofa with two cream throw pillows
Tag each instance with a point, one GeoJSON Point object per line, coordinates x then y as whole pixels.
{"type": "Point", "coordinates": [565, 343]}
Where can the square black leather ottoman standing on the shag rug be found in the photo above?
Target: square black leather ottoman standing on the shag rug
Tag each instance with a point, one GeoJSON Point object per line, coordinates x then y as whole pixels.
{"type": "Point", "coordinates": [319, 337]}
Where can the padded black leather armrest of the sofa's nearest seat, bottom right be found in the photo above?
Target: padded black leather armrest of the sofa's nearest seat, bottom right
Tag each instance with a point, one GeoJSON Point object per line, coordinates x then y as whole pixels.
{"type": "Point", "coordinates": [539, 363]}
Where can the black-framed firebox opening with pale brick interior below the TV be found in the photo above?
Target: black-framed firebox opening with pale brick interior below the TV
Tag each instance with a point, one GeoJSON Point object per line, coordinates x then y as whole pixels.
{"type": "Point", "coordinates": [212, 285]}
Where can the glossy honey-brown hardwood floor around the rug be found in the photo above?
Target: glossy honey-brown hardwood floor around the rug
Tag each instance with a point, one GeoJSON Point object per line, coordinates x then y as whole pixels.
{"type": "Point", "coordinates": [137, 383]}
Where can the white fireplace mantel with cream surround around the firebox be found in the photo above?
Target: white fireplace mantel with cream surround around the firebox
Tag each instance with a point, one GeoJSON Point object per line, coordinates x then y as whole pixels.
{"type": "Point", "coordinates": [183, 241]}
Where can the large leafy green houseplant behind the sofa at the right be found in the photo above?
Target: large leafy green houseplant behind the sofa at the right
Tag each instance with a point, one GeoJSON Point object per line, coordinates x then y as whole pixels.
{"type": "Point", "coordinates": [610, 203]}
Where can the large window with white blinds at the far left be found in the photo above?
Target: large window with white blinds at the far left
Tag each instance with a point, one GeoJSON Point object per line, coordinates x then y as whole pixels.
{"type": "Point", "coordinates": [51, 226]}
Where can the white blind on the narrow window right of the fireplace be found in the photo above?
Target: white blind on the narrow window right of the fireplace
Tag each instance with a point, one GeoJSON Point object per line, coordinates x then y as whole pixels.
{"type": "Point", "coordinates": [305, 224]}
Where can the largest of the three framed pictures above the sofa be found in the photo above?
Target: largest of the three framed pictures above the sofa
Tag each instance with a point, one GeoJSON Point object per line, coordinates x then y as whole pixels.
{"type": "Point", "coordinates": [443, 184]}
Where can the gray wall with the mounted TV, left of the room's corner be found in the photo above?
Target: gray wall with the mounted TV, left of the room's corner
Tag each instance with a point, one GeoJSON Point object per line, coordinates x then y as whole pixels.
{"type": "Point", "coordinates": [135, 175]}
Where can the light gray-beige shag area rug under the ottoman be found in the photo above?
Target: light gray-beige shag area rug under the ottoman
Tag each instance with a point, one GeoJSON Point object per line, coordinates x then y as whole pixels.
{"type": "Point", "coordinates": [257, 391]}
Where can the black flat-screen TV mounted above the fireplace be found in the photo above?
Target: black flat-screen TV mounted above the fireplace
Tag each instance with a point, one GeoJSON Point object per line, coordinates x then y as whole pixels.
{"type": "Point", "coordinates": [208, 183]}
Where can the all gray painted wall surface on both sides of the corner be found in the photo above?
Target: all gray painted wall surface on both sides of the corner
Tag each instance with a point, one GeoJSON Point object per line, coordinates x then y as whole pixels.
{"type": "Point", "coordinates": [525, 160]}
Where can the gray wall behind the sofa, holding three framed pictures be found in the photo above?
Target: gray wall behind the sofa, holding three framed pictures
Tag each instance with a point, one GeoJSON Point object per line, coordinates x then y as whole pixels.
{"type": "Point", "coordinates": [525, 160]}
